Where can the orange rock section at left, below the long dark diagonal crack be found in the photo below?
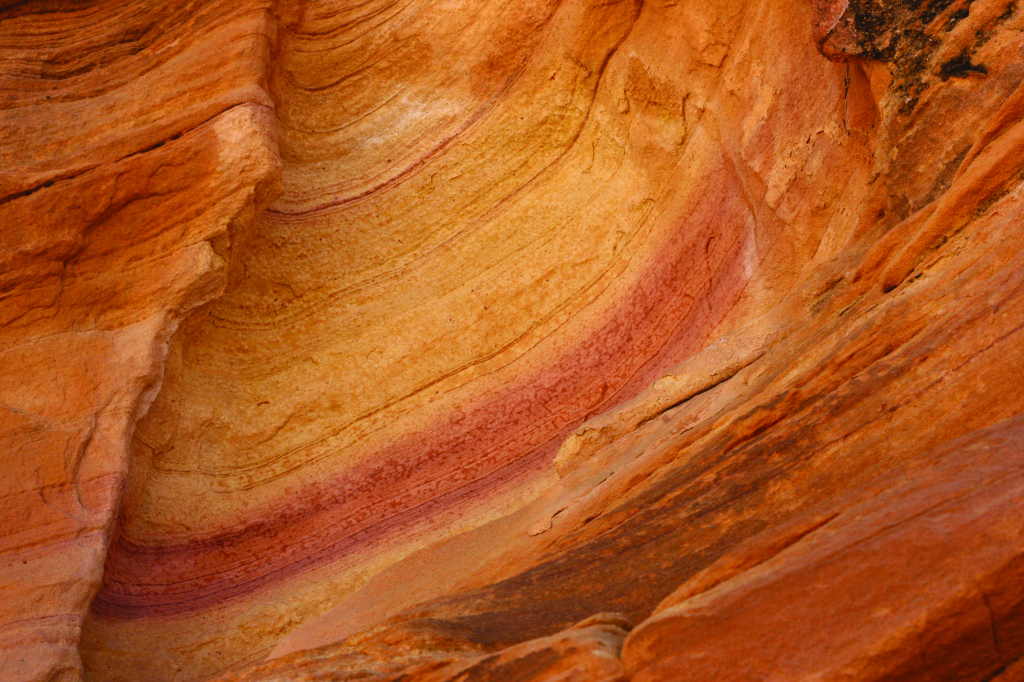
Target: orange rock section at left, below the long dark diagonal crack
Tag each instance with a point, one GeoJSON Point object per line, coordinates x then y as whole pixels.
{"type": "Point", "coordinates": [94, 293]}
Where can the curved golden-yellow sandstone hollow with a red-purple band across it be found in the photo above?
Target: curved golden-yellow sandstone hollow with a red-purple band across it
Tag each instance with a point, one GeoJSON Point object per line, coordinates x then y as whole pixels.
{"type": "Point", "coordinates": [476, 251]}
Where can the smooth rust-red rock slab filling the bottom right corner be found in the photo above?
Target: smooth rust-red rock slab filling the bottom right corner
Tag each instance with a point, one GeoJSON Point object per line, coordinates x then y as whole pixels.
{"type": "Point", "coordinates": [921, 582]}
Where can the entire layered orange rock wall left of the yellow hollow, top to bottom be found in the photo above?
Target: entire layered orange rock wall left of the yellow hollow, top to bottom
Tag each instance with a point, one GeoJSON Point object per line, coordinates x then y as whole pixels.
{"type": "Point", "coordinates": [118, 188]}
